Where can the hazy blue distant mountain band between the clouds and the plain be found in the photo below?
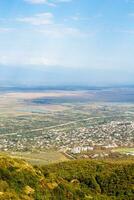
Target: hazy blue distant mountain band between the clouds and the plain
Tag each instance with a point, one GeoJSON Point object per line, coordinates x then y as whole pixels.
{"type": "Point", "coordinates": [55, 75]}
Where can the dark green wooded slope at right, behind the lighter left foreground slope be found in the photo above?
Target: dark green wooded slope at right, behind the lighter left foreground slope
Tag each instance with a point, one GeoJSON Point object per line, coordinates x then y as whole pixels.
{"type": "Point", "coordinates": [113, 179]}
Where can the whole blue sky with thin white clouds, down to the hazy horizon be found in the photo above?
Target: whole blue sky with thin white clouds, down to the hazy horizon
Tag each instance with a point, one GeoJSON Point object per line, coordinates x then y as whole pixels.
{"type": "Point", "coordinates": [57, 42]}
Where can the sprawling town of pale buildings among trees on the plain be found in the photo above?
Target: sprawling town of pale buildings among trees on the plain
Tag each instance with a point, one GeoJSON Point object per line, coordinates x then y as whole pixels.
{"type": "Point", "coordinates": [73, 140]}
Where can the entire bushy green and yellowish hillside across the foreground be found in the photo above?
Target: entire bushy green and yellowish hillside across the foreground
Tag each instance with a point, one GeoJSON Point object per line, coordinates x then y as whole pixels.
{"type": "Point", "coordinates": [73, 180]}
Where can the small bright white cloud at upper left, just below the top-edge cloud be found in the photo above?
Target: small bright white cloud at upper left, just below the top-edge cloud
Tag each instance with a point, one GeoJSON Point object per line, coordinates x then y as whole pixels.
{"type": "Point", "coordinates": [38, 19]}
